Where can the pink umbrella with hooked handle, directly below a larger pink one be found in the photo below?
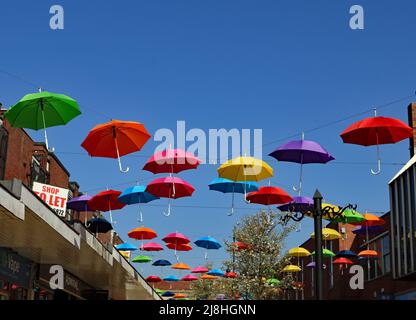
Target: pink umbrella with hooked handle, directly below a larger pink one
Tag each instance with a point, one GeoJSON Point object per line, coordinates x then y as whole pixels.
{"type": "Point", "coordinates": [171, 188]}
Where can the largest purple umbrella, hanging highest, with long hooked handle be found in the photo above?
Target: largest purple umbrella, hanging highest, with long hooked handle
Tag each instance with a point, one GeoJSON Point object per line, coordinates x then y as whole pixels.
{"type": "Point", "coordinates": [303, 152]}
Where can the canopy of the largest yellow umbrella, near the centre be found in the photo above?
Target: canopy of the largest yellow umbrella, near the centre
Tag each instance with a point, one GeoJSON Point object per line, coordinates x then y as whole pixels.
{"type": "Point", "coordinates": [245, 169]}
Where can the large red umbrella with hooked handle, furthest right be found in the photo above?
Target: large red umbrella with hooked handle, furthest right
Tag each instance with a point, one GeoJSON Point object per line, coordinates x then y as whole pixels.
{"type": "Point", "coordinates": [376, 131]}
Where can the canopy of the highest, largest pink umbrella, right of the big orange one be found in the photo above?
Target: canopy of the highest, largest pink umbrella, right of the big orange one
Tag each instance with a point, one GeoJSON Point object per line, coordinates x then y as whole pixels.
{"type": "Point", "coordinates": [171, 161]}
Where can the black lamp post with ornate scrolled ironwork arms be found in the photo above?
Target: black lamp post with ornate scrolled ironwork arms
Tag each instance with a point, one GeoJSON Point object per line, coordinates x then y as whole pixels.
{"type": "Point", "coordinates": [297, 213]}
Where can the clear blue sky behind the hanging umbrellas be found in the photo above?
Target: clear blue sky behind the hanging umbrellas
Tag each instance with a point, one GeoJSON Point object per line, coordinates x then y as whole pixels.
{"type": "Point", "coordinates": [279, 66]}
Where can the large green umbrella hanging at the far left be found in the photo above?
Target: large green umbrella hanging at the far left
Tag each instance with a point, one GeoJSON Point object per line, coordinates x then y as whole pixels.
{"type": "Point", "coordinates": [42, 110]}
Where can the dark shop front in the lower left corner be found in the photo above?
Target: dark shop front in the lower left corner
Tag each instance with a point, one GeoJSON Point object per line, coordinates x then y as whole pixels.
{"type": "Point", "coordinates": [15, 276]}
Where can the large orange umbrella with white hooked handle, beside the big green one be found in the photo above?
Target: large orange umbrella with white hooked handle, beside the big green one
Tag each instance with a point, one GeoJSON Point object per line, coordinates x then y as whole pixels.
{"type": "Point", "coordinates": [115, 139]}
